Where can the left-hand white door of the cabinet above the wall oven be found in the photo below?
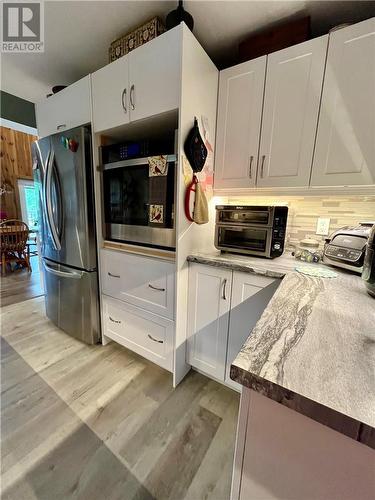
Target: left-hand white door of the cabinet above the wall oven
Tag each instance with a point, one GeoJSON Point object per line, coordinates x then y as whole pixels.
{"type": "Point", "coordinates": [110, 95]}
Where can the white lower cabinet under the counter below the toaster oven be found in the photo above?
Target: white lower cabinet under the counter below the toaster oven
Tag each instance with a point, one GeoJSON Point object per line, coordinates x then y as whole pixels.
{"type": "Point", "coordinates": [224, 307]}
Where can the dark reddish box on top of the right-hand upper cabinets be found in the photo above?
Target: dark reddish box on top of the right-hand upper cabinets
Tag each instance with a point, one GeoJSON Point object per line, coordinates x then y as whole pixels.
{"type": "Point", "coordinates": [277, 38]}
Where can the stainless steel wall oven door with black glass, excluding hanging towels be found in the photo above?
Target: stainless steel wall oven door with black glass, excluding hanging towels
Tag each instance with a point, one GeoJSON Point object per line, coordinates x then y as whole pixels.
{"type": "Point", "coordinates": [128, 199]}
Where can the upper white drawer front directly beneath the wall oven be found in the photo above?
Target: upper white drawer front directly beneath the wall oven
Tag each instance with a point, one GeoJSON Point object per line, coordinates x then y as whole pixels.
{"type": "Point", "coordinates": [144, 282]}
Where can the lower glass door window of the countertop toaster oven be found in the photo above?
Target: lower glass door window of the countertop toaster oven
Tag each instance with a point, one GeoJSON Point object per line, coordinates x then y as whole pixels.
{"type": "Point", "coordinates": [243, 238]}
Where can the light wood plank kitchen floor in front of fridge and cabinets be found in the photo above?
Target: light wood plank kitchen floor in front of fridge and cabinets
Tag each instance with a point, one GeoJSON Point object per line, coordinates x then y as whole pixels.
{"type": "Point", "coordinates": [94, 422]}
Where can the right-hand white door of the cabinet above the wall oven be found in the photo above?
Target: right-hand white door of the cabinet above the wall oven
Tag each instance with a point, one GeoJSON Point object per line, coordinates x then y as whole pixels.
{"type": "Point", "coordinates": [154, 82]}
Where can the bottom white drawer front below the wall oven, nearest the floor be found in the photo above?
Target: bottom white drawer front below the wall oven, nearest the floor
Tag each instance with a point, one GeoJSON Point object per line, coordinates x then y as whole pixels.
{"type": "Point", "coordinates": [146, 334]}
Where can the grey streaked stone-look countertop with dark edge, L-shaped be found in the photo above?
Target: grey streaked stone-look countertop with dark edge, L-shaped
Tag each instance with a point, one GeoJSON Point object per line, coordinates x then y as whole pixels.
{"type": "Point", "coordinates": [313, 349]}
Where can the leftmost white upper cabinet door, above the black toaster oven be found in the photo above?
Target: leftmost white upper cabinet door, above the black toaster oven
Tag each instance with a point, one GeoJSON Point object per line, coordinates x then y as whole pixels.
{"type": "Point", "coordinates": [238, 124]}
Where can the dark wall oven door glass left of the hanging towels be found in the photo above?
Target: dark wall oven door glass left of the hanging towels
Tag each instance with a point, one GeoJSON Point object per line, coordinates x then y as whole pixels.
{"type": "Point", "coordinates": [126, 195]}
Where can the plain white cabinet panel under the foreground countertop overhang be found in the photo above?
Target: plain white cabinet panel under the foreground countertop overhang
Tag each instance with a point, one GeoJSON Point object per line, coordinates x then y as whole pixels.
{"type": "Point", "coordinates": [281, 454]}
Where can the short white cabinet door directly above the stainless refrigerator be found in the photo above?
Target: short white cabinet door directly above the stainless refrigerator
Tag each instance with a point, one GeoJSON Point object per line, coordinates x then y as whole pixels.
{"type": "Point", "coordinates": [67, 109]}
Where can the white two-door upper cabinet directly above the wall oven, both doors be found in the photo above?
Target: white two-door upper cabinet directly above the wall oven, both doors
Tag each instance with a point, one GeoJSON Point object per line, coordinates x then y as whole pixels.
{"type": "Point", "coordinates": [144, 83]}
